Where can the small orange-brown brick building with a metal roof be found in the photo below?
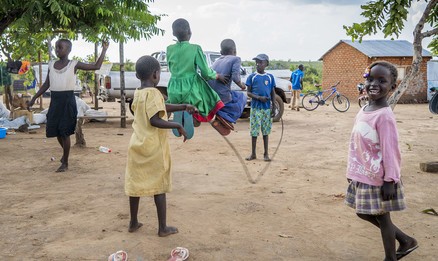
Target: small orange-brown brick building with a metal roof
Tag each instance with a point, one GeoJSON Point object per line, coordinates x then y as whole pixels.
{"type": "Point", "coordinates": [347, 60]}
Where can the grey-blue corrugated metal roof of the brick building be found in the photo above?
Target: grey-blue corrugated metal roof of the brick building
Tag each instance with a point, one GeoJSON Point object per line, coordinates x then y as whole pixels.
{"type": "Point", "coordinates": [383, 48]}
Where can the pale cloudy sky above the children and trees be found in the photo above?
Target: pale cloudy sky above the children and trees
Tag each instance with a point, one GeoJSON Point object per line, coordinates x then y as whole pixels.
{"type": "Point", "coordinates": [296, 30]}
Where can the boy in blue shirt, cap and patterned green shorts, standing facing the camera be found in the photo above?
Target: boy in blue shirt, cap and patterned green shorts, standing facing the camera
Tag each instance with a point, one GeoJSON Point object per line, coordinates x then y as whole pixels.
{"type": "Point", "coordinates": [261, 88]}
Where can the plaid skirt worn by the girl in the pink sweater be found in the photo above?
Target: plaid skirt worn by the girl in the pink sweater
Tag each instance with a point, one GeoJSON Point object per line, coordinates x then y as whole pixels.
{"type": "Point", "coordinates": [367, 199]}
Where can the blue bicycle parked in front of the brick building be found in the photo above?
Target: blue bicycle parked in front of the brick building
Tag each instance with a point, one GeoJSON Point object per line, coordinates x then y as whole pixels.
{"type": "Point", "coordinates": [313, 99]}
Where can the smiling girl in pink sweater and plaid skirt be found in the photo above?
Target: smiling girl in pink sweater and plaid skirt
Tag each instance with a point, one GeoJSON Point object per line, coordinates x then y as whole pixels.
{"type": "Point", "coordinates": [375, 188]}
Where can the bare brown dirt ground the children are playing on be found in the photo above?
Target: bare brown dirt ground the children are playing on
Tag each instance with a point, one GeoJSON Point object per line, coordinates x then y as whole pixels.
{"type": "Point", "coordinates": [294, 211]}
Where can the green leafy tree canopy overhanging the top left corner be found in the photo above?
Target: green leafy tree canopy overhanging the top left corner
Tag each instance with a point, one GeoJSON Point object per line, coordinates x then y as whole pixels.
{"type": "Point", "coordinates": [25, 25]}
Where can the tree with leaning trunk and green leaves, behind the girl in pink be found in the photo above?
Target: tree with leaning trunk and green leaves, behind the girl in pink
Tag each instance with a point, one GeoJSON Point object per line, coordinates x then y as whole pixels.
{"type": "Point", "coordinates": [389, 17]}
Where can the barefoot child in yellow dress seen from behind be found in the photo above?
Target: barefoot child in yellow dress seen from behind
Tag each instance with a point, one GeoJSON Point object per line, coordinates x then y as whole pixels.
{"type": "Point", "coordinates": [149, 164]}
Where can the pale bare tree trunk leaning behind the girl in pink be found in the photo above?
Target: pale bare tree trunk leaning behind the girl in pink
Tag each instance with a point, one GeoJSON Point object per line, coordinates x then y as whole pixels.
{"type": "Point", "coordinates": [414, 76]}
